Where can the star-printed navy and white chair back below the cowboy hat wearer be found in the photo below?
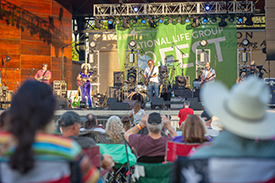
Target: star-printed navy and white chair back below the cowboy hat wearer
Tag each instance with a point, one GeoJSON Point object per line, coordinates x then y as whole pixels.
{"type": "Point", "coordinates": [224, 170]}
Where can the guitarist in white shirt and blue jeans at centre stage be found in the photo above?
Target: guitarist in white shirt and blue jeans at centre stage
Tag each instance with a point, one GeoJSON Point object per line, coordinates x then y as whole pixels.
{"type": "Point", "coordinates": [152, 79]}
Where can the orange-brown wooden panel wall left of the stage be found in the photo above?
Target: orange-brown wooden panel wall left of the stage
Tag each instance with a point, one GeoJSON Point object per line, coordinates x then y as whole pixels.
{"type": "Point", "coordinates": [32, 33]}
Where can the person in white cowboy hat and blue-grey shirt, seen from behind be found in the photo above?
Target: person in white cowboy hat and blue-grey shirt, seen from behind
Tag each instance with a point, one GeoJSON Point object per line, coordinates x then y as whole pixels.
{"type": "Point", "coordinates": [242, 112]}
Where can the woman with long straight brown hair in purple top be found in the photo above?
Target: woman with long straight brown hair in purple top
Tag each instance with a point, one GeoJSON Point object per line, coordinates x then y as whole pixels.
{"type": "Point", "coordinates": [193, 131]}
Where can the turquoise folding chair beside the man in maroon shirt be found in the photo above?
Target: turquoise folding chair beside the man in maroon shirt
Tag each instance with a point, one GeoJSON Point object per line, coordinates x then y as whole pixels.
{"type": "Point", "coordinates": [122, 156]}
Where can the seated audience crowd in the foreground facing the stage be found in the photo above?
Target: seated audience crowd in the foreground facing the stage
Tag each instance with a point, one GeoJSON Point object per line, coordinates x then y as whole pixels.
{"type": "Point", "coordinates": [235, 123]}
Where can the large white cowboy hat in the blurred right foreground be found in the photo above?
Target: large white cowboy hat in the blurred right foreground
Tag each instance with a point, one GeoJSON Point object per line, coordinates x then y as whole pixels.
{"type": "Point", "coordinates": [242, 110]}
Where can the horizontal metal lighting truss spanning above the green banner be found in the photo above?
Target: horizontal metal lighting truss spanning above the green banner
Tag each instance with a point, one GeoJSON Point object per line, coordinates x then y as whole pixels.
{"type": "Point", "coordinates": [176, 8]}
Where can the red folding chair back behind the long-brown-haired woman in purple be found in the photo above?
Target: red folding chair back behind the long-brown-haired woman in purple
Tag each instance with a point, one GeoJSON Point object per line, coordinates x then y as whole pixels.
{"type": "Point", "coordinates": [175, 149]}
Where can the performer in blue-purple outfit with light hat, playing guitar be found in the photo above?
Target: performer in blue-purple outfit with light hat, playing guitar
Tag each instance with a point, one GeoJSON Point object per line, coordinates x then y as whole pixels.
{"type": "Point", "coordinates": [84, 82]}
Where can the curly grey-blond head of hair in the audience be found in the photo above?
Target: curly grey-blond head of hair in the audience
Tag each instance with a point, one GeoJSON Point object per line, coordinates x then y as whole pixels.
{"type": "Point", "coordinates": [114, 128]}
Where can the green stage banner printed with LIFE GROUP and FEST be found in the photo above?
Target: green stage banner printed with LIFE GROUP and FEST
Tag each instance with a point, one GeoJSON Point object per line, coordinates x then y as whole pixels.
{"type": "Point", "coordinates": [180, 42]}
